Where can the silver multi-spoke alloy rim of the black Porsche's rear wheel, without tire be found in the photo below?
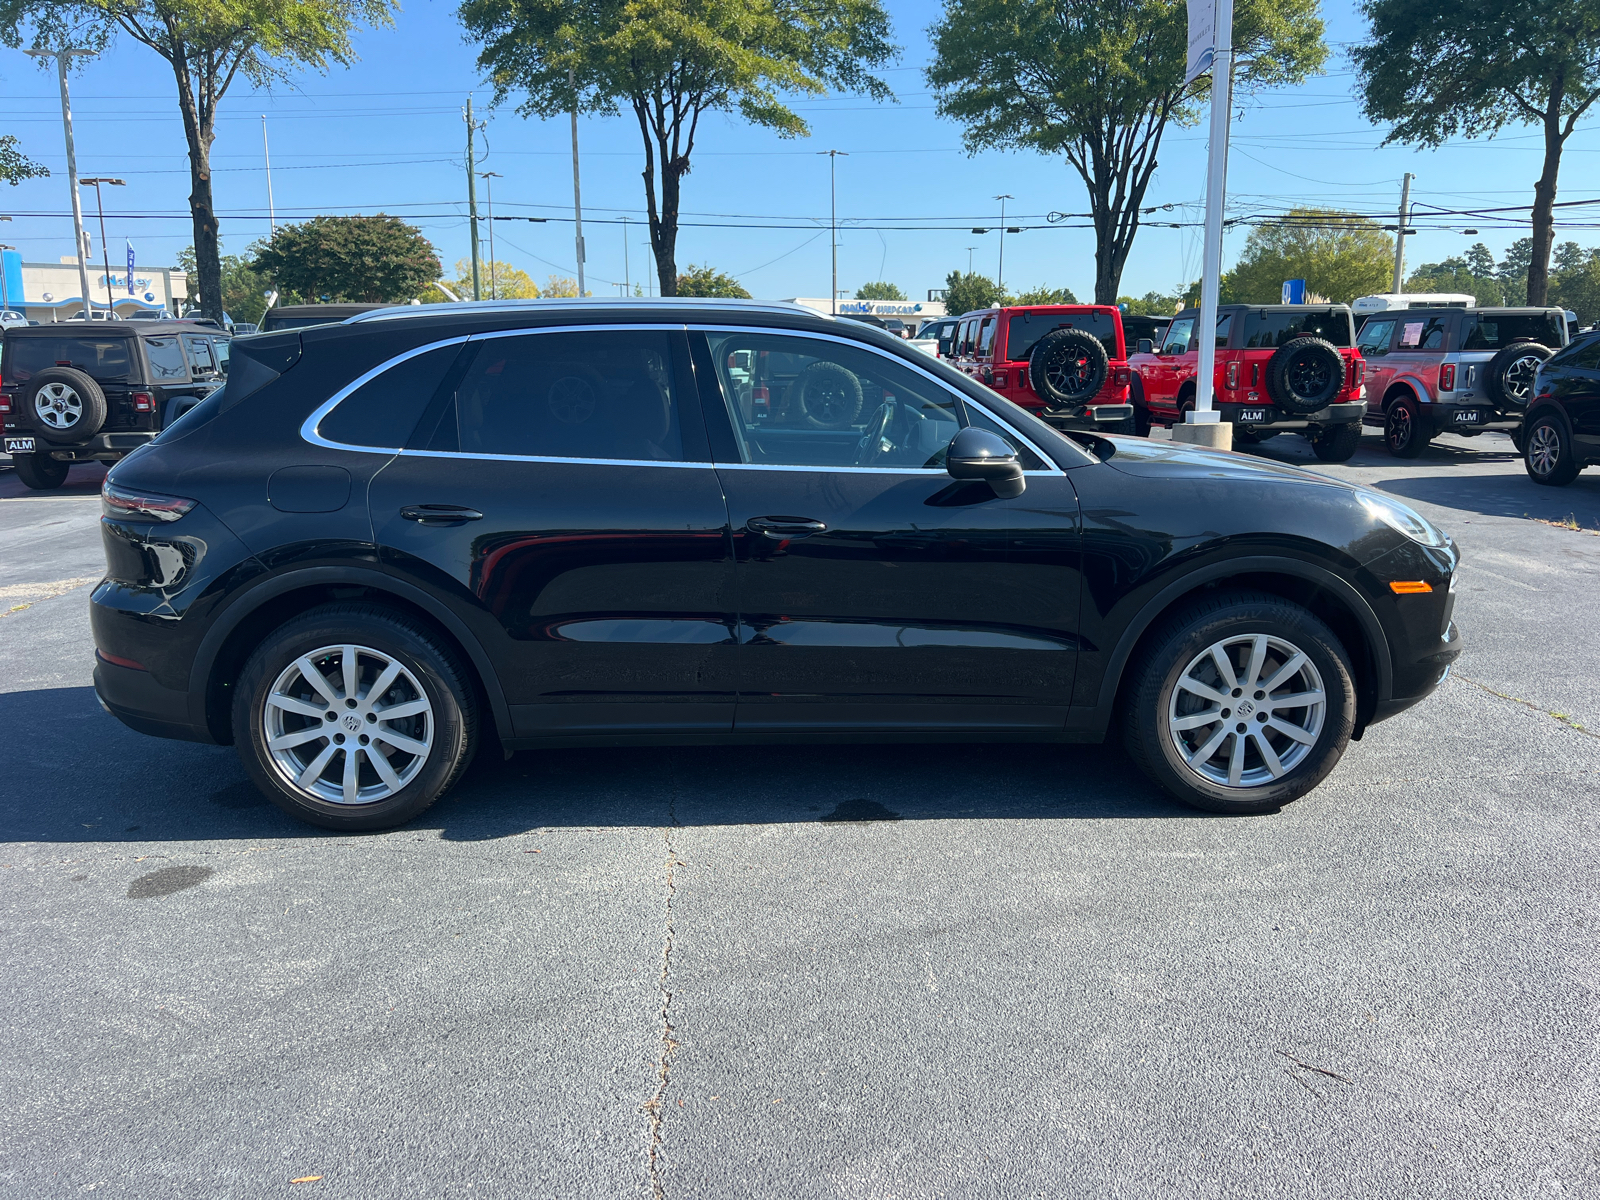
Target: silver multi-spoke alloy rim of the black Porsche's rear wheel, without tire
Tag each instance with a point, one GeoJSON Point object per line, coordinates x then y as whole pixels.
{"type": "Point", "coordinates": [348, 726]}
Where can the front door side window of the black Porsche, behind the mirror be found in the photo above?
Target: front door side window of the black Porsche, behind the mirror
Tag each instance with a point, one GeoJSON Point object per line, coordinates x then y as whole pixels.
{"type": "Point", "coordinates": [818, 404]}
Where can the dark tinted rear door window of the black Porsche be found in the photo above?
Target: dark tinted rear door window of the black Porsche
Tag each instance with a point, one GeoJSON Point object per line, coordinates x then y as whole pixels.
{"type": "Point", "coordinates": [591, 396]}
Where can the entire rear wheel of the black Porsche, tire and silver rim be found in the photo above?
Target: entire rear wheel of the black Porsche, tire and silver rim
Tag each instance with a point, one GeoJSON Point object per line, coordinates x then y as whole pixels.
{"type": "Point", "coordinates": [354, 718]}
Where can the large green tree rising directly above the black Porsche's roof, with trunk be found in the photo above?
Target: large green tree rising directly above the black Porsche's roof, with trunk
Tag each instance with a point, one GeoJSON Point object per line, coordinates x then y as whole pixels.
{"type": "Point", "coordinates": [674, 62]}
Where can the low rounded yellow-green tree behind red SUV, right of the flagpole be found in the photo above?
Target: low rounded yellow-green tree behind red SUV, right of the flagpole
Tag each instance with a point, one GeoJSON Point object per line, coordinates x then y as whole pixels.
{"type": "Point", "coordinates": [1340, 257]}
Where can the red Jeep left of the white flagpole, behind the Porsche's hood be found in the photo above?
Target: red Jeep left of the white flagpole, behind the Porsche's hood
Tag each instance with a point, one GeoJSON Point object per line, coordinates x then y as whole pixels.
{"type": "Point", "coordinates": [1066, 364]}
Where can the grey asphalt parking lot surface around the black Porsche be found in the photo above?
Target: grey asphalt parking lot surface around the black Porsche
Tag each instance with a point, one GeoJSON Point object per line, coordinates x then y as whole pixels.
{"type": "Point", "coordinates": [841, 972]}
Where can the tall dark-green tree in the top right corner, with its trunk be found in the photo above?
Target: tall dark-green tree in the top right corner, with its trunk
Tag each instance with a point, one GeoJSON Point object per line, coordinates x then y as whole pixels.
{"type": "Point", "coordinates": [1489, 65]}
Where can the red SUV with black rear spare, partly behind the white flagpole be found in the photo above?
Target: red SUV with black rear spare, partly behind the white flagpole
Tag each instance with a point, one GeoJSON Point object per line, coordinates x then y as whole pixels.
{"type": "Point", "coordinates": [1279, 369]}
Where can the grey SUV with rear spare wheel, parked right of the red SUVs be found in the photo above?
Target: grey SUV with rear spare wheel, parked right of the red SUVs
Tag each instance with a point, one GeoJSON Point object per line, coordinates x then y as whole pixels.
{"type": "Point", "coordinates": [1454, 369]}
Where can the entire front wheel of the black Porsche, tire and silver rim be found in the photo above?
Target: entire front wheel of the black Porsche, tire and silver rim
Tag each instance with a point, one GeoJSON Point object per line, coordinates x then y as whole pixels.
{"type": "Point", "coordinates": [1242, 705]}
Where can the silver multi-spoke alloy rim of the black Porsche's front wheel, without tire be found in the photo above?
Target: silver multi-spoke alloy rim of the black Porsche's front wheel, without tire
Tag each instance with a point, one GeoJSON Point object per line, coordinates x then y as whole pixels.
{"type": "Point", "coordinates": [1247, 711]}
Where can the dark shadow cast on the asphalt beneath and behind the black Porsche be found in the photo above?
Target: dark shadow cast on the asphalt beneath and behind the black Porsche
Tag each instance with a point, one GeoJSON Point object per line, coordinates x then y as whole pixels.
{"type": "Point", "coordinates": [126, 788]}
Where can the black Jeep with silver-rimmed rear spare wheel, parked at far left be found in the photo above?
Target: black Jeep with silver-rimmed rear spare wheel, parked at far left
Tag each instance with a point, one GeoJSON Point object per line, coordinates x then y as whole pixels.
{"type": "Point", "coordinates": [78, 393]}
